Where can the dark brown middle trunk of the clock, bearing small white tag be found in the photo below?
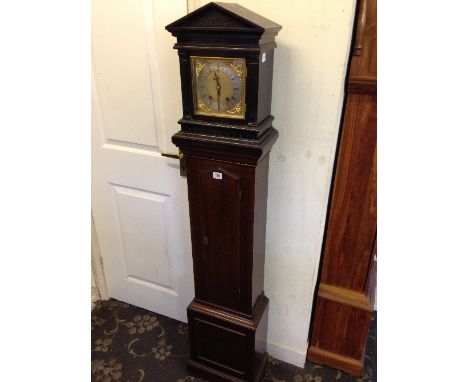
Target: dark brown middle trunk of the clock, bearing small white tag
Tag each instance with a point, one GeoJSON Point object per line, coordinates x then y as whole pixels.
{"type": "Point", "coordinates": [228, 219]}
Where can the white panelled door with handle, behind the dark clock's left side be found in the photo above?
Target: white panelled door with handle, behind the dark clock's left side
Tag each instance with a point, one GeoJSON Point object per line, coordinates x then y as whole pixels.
{"type": "Point", "coordinates": [139, 200]}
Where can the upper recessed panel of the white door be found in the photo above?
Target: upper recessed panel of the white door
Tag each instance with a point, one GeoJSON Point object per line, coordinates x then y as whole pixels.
{"type": "Point", "coordinates": [120, 50]}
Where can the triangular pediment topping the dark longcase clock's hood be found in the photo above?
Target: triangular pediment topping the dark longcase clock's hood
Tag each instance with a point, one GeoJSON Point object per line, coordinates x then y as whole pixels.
{"type": "Point", "coordinates": [222, 16]}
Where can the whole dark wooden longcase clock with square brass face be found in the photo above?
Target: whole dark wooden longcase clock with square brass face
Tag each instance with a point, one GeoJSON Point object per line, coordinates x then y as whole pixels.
{"type": "Point", "coordinates": [226, 69]}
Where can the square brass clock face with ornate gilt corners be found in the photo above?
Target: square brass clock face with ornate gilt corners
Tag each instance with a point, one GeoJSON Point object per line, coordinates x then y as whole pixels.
{"type": "Point", "coordinates": [219, 86]}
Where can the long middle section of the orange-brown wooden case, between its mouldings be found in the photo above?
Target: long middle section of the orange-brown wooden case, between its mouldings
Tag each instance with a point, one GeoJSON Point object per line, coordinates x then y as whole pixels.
{"type": "Point", "coordinates": [352, 220]}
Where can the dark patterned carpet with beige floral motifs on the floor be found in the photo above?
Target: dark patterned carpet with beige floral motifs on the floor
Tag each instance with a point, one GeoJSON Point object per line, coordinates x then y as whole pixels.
{"type": "Point", "coordinates": [130, 344]}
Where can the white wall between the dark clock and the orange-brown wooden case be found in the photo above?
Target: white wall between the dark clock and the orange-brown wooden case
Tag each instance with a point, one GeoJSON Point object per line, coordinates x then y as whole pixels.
{"type": "Point", "coordinates": [310, 65]}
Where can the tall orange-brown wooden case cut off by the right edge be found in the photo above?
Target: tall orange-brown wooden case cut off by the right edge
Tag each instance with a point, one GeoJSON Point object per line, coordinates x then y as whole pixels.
{"type": "Point", "coordinates": [345, 298]}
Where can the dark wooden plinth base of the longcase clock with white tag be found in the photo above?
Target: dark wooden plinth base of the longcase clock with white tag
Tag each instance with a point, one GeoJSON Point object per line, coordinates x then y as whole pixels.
{"type": "Point", "coordinates": [227, 346]}
